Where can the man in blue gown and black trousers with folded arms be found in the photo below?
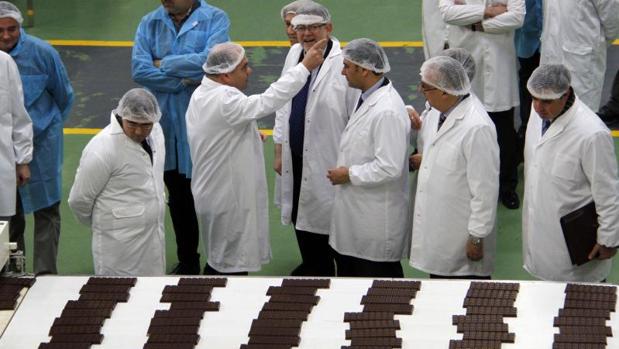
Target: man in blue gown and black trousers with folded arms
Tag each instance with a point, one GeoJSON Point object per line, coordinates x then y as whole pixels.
{"type": "Point", "coordinates": [171, 44]}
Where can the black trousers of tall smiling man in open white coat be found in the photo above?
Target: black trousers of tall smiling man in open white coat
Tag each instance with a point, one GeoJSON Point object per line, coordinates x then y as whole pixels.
{"type": "Point", "coordinates": [316, 253]}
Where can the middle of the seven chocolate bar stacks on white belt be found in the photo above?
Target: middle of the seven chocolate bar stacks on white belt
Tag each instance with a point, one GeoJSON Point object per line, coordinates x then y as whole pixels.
{"type": "Point", "coordinates": [278, 325]}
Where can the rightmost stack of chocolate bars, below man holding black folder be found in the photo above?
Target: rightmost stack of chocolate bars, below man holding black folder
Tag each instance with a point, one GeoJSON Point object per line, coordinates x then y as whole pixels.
{"type": "Point", "coordinates": [582, 320]}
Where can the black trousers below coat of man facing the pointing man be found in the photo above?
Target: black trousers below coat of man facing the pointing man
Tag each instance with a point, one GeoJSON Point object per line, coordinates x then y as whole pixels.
{"type": "Point", "coordinates": [359, 267]}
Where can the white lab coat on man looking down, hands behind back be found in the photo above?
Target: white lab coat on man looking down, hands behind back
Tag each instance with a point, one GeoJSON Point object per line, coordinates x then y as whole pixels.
{"type": "Point", "coordinates": [120, 194]}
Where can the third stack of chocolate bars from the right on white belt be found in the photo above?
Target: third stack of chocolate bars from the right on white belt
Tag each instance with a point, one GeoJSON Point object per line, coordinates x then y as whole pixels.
{"type": "Point", "coordinates": [375, 327]}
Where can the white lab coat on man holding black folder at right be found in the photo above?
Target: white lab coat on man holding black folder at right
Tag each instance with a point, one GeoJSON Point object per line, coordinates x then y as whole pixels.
{"type": "Point", "coordinates": [573, 164]}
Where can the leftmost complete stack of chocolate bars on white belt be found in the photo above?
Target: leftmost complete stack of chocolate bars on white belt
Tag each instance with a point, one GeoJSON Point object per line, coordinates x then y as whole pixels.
{"type": "Point", "coordinates": [79, 324]}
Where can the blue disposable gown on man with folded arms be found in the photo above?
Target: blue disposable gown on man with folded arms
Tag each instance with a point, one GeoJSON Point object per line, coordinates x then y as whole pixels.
{"type": "Point", "coordinates": [182, 55]}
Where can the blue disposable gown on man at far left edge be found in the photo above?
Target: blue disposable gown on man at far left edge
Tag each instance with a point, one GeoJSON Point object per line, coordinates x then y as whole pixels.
{"type": "Point", "coordinates": [48, 97]}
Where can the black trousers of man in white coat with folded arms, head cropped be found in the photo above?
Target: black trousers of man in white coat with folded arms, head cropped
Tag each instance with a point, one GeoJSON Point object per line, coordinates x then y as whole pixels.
{"type": "Point", "coordinates": [506, 137]}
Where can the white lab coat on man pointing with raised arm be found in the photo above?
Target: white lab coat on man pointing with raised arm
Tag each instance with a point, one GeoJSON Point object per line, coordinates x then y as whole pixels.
{"type": "Point", "coordinates": [228, 179]}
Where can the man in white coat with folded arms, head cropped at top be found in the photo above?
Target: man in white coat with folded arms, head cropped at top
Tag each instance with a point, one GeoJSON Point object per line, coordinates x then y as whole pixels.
{"type": "Point", "coordinates": [485, 28]}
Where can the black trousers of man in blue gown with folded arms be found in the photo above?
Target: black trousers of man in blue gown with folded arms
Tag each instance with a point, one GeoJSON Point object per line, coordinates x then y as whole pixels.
{"type": "Point", "coordinates": [184, 220]}
